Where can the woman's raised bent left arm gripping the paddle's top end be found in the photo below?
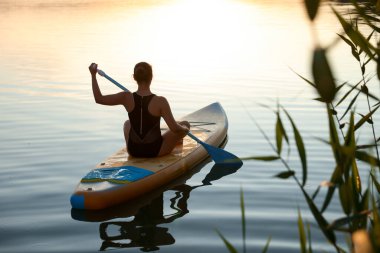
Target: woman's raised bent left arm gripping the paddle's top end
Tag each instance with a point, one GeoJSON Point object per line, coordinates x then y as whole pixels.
{"type": "Point", "coordinates": [114, 99]}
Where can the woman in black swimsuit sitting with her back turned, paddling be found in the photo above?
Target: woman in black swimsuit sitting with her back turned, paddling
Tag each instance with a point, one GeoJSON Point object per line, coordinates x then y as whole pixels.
{"type": "Point", "coordinates": [142, 131]}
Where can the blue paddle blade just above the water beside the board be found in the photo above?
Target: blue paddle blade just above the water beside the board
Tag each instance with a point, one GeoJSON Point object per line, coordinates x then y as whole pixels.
{"type": "Point", "coordinates": [221, 156]}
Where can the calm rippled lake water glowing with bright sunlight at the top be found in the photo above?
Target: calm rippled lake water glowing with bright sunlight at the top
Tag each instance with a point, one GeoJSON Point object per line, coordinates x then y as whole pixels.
{"type": "Point", "coordinates": [240, 53]}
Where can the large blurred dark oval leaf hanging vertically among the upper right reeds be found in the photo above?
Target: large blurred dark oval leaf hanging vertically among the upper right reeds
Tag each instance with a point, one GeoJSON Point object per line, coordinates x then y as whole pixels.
{"type": "Point", "coordinates": [323, 77]}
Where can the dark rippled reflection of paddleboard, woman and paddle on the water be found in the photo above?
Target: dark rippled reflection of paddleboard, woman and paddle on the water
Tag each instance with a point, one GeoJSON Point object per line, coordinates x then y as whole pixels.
{"type": "Point", "coordinates": [145, 230]}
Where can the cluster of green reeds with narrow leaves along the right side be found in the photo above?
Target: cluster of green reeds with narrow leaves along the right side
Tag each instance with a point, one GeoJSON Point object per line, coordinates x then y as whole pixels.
{"type": "Point", "coordinates": [359, 199]}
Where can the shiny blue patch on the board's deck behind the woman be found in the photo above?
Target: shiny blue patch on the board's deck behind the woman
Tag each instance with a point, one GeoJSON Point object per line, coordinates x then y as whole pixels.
{"type": "Point", "coordinates": [120, 175]}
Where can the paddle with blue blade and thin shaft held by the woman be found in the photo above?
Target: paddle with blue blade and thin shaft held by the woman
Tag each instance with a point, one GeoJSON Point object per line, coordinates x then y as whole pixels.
{"type": "Point", "coordinates": [220, 156]}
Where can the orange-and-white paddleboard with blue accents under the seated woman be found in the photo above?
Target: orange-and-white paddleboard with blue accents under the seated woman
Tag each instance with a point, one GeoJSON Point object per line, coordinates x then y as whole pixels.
{"type": "Point", "coordinates": [121, 177]}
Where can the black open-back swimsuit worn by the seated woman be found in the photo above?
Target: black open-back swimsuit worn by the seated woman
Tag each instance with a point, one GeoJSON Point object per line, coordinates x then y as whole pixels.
{"type": "Point", "coordinates": [145, 138]}
